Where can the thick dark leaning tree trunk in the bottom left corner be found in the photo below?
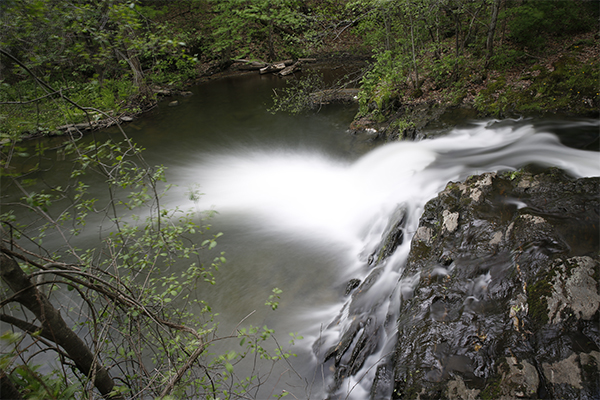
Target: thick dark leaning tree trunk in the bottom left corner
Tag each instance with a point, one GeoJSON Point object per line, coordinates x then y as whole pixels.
{"type": "Point", "coordinates": [53, 326]}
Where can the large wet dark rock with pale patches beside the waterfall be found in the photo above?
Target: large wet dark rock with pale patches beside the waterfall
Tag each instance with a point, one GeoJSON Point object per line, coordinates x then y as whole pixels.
{"type": "Point", "coordinates": [507, 300]}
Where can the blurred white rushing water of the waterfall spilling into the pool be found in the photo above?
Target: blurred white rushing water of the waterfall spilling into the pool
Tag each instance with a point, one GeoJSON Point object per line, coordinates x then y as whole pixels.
{"type": "Point", "coordinates": [312, 197]}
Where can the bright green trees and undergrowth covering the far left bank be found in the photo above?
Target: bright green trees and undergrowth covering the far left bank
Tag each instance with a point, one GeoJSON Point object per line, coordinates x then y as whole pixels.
{"type": "Point", "coordinates": [102, 55]}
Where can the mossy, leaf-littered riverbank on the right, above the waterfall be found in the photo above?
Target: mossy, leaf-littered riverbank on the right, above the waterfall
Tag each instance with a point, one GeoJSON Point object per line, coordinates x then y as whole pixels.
{"type": "Point", "coordinates": [563, 82]}
